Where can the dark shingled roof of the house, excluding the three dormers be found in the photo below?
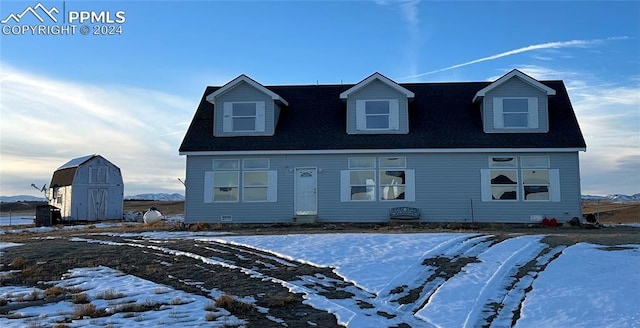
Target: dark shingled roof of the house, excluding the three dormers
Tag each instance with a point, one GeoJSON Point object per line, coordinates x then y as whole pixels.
{"type": "Point", "coordinates": [442, 115]}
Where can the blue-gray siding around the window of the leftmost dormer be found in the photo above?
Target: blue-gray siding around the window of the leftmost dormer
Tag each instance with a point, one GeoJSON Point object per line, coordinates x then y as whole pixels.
{"type": "Point", "coordinates": [244, 92]}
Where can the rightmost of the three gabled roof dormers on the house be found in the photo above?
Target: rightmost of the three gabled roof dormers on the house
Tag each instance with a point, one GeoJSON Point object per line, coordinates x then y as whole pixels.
{"type": "Point", "coordinates": [515, 103]}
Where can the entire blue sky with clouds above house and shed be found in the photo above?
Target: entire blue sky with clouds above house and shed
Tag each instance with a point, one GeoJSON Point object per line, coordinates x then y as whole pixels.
{"type": "Point", "coordinates": [130, 97]}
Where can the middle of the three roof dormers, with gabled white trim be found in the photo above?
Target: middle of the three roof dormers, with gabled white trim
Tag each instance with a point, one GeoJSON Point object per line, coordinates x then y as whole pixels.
{"type": "Point", "coordinates": [377, 105]}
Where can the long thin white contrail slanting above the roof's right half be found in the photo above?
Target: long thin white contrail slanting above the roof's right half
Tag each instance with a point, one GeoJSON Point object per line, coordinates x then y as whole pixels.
{"type": "Point", "coordinates": [548, 45]}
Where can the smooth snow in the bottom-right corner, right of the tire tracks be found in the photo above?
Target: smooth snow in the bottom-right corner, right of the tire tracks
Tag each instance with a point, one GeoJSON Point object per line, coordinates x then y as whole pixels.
{"type": "Point", "coordinates": [588, 286]}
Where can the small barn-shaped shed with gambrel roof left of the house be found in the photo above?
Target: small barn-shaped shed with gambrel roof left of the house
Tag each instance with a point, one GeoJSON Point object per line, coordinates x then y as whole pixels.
{"type": "Point", "coordinates": [87, 188]}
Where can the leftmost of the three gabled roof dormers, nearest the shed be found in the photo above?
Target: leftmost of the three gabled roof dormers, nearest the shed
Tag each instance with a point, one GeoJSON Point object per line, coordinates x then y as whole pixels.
{"type": "Point", "coordinates": [244, 107]}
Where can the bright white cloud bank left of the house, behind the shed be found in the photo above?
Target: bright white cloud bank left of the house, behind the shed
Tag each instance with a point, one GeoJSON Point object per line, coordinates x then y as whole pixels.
{"type": "Point", "coordinates": [45, 122]}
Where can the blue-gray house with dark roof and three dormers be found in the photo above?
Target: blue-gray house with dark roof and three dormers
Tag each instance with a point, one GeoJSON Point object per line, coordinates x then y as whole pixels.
{"type": "Point", "coordinates": [501, 151]}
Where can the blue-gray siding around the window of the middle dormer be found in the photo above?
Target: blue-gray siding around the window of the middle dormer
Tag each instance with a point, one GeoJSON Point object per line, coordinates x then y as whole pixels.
{"type": "Point", "coordinates": [378, 90]}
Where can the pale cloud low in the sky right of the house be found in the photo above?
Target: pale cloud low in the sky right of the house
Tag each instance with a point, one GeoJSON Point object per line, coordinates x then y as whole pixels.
{"type": "Point", "coordinates": [609, 117]}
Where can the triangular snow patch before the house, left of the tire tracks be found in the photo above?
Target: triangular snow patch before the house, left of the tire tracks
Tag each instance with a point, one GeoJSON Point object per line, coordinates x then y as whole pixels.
{"type": "Point", "coordinates": [374, 253]}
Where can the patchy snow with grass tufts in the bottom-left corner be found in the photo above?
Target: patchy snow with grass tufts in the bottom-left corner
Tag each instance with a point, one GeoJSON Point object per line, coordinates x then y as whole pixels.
{"type": "Point", "coordinates": [118, 293]}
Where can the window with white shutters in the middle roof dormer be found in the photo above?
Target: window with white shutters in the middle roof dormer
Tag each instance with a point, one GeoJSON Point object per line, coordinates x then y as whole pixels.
{"type": "Point", "coordinates": [379, 114]}
